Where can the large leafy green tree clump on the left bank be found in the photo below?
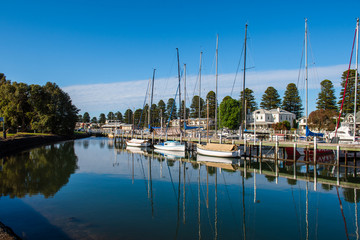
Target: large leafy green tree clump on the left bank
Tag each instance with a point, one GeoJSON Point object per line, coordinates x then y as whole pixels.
{"type": "Point", "coordinates": [33, 107]}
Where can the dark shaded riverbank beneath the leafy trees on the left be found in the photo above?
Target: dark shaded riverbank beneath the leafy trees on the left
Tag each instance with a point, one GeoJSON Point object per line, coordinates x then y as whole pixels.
{"type": "Point", "coordinates": [21, 142]}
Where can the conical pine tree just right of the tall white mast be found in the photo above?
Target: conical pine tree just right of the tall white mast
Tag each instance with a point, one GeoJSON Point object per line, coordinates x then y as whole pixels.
{"type": "Point", "coordinates": [326, 98]}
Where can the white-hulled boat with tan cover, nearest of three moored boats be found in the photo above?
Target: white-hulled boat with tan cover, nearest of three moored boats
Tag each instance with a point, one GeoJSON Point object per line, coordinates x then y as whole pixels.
{"type": "Point", "coordinates": [218, 150]}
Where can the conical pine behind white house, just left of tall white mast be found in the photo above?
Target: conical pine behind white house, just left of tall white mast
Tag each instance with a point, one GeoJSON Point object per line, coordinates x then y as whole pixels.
{"type": "Point", "coordinates": [292, 100]}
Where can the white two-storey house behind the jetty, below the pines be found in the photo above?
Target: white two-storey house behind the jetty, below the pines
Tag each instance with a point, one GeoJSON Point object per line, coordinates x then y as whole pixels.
{"type": "Point", "coordinates": [264, 119]}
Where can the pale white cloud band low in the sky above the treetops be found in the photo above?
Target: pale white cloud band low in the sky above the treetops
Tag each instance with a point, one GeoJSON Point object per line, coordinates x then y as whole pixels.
{"type": "Point", "coordinates": [118, 96]}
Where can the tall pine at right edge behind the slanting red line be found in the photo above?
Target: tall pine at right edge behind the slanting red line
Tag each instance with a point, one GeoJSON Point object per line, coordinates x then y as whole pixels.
{"type": "Point", "coordinates": [348, 106]}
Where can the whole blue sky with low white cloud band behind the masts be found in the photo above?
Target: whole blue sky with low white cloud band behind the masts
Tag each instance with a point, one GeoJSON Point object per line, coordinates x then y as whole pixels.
{"type": "Point", "coordinates": [103, 52]}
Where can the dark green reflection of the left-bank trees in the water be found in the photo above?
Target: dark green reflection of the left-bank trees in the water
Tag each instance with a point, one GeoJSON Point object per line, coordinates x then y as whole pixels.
{"type": "Point", "coordinates": [40, 171]}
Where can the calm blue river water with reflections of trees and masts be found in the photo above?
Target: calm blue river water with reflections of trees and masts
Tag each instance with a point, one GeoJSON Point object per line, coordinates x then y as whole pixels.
{"type": "Point", "coordinates": [91, 189]}
